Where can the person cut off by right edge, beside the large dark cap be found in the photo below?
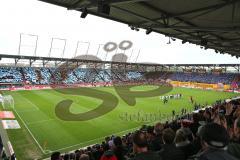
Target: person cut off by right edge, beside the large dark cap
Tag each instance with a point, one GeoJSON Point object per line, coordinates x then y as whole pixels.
{"type": "Point", "coordinates": [234, 146]}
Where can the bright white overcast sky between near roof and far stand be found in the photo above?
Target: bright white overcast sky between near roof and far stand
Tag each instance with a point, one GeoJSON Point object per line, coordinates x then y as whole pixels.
{"type": "Point", "coordinates": [50, 21]}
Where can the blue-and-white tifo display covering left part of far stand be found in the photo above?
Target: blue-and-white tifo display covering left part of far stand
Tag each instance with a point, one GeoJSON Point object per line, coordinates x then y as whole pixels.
{"type": "Point", "coordinates": [50, 75]}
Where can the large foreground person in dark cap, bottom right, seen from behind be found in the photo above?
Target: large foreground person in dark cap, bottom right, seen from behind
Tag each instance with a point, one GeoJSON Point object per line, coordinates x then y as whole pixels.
{"type": "Point", "coordinates": [214, 141]}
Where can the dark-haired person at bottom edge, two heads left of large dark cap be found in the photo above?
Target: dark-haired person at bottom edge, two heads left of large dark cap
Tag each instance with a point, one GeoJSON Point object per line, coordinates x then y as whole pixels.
{"type": "Point", "coordinates": [169, 151]}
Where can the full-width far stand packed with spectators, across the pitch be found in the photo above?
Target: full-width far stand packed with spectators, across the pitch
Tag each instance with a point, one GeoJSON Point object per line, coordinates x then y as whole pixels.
{"type": "Point", "coordinates": [46, 76]}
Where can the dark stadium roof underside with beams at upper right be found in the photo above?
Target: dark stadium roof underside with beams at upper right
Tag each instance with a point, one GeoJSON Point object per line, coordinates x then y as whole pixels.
{"type": "Point", "coordinates": [211, 24]}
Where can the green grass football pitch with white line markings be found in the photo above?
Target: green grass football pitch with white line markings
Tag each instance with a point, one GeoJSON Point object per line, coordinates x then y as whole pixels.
{"type": "Point", "coordinates": [42, 132]}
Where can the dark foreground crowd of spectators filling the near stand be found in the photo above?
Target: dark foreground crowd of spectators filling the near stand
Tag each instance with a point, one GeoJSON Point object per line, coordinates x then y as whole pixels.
{"type": "Point", "coordinates": [206, 135]}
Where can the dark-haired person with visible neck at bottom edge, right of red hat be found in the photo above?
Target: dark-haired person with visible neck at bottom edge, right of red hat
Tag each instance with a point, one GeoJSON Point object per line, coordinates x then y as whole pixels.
{"type": "Point", "coordinates": [140, 148]}
